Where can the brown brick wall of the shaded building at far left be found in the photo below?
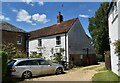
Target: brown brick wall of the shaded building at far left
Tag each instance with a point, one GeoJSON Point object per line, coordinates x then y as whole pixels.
{"type": "Point", "coordinates": [11, 37]}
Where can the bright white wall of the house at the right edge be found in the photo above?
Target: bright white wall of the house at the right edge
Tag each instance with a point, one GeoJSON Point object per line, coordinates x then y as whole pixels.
{"type": "Point", "coordinates": [114, 34]}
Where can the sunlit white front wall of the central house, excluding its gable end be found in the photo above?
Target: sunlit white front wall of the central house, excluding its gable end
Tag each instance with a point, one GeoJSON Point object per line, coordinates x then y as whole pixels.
{"type": "Point", "coordinates": [48, 43]}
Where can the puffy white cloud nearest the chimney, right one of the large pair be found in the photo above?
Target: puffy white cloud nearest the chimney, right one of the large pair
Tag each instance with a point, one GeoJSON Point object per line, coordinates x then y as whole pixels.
{"type": "Point", "coordinates": [40, 18]}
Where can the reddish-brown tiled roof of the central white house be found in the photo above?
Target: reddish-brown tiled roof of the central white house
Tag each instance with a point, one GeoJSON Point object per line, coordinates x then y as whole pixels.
{"type": "Point", "coordinates": [63, 27]}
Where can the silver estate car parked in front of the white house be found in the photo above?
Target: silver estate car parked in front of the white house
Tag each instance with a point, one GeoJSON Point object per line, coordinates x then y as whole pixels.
{"type": "Point", "coordinates": [28, 67]}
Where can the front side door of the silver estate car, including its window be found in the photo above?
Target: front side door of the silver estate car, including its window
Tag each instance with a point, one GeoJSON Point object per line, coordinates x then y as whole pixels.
{"type": "Point", "coordinates": [47, 68]}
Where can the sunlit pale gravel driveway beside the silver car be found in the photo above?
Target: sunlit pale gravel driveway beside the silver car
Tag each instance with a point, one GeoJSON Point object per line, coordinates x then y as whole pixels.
{"type": "Point", "coordinates": [75, 74]}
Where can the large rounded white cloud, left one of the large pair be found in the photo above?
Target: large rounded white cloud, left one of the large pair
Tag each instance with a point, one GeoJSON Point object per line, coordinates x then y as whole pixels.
{"type": "Point", "coordinates": [23, 15]}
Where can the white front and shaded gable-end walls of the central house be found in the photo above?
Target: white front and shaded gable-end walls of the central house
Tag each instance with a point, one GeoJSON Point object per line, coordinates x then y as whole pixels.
{"type": "Point", "coordinates": [73, 42]}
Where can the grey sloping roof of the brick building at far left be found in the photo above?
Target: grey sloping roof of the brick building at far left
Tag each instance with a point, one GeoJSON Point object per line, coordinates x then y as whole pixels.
{"type": "Point", "coordinates": [8, 27]}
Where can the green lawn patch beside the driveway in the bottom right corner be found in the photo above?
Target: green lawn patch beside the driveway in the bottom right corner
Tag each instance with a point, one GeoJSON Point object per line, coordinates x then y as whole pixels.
{"type": "Point", "coordinates": [106, 75]}
